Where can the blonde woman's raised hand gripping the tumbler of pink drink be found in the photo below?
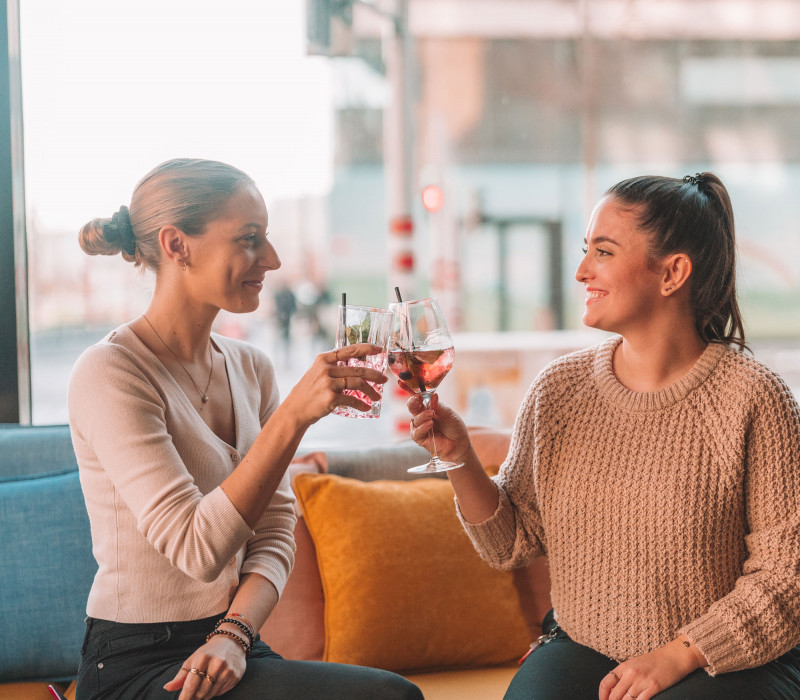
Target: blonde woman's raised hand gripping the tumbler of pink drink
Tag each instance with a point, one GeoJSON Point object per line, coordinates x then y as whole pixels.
{"type": "Point", "coordinates": [321, 388]}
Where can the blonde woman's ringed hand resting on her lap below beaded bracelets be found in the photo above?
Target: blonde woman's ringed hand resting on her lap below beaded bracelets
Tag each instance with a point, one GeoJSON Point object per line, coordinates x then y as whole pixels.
{"type": "Point", "coordinates": [212, 670]}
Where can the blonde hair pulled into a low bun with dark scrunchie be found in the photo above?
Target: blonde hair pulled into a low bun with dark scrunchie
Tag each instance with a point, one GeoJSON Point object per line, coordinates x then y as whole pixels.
{"type": "Point", "coordinates": [183, 192]}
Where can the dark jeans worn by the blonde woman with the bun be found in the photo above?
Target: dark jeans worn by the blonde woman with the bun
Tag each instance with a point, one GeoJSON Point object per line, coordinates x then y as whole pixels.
{"type": "Point", "coordinates": [126, 662]}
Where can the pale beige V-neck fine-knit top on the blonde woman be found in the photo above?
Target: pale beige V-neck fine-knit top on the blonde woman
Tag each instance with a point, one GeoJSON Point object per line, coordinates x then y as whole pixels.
{"type": "Point", "coordinates": [169, 543]}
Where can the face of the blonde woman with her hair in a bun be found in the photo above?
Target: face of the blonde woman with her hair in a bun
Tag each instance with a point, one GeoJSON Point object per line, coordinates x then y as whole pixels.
{"type": "Point", "coordinates": [227, 263]}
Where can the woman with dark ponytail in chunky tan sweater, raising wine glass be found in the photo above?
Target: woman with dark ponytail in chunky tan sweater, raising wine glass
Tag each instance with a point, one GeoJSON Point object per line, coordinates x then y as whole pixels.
{"type": "Point", "coordinates": [658, 471]}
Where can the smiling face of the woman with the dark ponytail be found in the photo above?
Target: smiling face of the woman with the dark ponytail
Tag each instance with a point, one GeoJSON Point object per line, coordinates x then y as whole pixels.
{"type": "Point", "coordinates": [622, 290]}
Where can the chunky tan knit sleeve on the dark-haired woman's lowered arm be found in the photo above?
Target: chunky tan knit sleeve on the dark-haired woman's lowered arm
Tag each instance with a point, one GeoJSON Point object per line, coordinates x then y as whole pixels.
{"type": "Point", "coordinates": [760, 618]}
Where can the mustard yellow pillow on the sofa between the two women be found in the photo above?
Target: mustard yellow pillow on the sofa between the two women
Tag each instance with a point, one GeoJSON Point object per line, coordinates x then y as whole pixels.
{"type": "Point", "coordinates": [404, 588]}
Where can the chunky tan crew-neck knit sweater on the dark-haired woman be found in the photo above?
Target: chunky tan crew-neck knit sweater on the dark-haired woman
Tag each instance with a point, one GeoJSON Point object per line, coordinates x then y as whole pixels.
{"type": "Point", "coordinates": [661, 513]}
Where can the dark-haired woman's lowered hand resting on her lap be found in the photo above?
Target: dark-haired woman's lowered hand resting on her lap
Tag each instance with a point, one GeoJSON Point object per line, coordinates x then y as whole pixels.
{"type": "Point", "coordinates": [644, 676]}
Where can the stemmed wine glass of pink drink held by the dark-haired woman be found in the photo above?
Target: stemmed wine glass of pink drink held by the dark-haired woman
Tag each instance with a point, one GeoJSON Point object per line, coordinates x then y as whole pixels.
{"type": "Point", "coordinates": [420, 355]}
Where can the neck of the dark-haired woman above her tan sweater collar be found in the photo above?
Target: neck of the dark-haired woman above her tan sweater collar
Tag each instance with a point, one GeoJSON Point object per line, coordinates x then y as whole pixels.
{"type": "Point", "coordinates": [654, 363]}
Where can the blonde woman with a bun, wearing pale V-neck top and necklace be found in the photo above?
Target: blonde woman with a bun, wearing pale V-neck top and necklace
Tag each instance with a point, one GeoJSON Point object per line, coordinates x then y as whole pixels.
{"type": "Point", "coordinates": [182, 444]}
